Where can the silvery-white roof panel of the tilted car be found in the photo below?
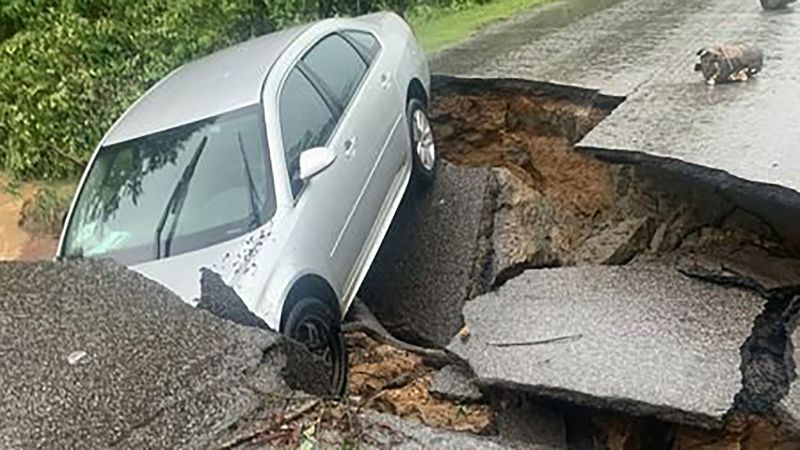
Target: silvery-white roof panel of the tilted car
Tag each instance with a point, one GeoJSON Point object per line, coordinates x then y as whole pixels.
{"type": "Point", "coordinates": [223, 81]}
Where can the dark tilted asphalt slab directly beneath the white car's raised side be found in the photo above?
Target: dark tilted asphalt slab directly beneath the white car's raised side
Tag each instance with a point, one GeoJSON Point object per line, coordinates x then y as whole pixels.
{"type": "Point", "coordinates": [430, 261]}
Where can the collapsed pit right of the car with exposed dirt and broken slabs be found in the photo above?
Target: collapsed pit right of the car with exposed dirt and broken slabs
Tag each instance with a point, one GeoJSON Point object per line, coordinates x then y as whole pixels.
{"type": "Point", "coordinates": [695, 329]}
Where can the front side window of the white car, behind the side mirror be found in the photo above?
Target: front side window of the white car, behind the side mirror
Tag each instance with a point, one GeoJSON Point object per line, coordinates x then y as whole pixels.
{"type": "Point", "coordinates": [306, 122]}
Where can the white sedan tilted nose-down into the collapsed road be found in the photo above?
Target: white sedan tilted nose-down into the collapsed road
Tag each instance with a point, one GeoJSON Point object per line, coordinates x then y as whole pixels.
{"type": "Point", "coordinates": [277, 163]}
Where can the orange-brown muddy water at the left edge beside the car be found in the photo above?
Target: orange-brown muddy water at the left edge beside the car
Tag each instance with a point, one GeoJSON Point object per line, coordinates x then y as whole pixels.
{"type": "Point", "coordinates": [16, 243]}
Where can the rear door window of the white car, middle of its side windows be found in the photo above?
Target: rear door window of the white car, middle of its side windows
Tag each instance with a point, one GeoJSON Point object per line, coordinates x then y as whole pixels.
{"type": "Point", "coordinates": [338, 66]}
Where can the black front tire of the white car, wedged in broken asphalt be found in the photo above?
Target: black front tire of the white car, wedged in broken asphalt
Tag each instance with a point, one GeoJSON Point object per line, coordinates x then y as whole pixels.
{"type": "Point", "coordinates": [311, 315]}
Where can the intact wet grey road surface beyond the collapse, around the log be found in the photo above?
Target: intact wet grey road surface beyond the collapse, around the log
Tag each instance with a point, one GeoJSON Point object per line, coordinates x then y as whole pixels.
{"type": "Point", "coordinates": [645, 51]}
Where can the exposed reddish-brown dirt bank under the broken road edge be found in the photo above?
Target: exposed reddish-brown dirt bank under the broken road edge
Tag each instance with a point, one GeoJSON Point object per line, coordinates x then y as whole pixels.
{"type": "Point", "coordinates": [555, 206]}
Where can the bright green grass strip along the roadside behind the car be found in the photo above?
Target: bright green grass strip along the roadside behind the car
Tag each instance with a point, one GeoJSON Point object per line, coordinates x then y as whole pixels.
{"type": "Point", "coordinates": [439, 28]}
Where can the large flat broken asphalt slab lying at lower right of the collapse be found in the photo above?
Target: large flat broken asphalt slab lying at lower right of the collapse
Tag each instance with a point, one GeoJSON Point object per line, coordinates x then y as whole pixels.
{"type": "Point", "coordinates": [641, 339]}
